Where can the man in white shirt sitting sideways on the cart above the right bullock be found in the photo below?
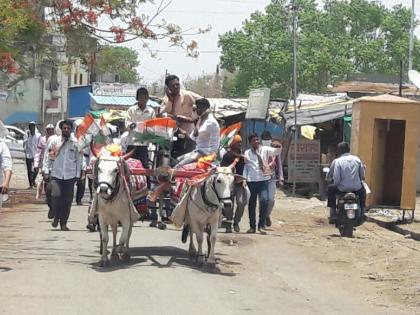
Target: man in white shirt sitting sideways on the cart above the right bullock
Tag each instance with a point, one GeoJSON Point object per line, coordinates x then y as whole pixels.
{"type": "Point", "coordinates": [206, 134]}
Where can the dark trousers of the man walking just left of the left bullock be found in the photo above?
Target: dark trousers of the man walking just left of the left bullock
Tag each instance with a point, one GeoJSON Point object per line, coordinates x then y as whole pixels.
{"type": "Point", "coordinates": [62, 192]}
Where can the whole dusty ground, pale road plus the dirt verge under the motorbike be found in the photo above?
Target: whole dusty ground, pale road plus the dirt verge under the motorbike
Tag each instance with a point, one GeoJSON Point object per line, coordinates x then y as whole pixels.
{"type": "Point", "coordinates": [301, 267]}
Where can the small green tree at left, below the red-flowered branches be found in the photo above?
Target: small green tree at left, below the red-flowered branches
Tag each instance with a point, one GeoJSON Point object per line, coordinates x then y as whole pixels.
{"type": "Point", "coordinates": [118, 60]}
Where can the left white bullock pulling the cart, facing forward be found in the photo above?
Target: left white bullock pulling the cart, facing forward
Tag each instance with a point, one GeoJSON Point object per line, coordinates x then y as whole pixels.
{"type": "Point", "coordinates": [113, 205]}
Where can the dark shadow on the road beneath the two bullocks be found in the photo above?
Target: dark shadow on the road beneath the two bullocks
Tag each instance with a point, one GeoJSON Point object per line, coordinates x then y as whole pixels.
{"type": "Point", "coordinates": [177, 258]}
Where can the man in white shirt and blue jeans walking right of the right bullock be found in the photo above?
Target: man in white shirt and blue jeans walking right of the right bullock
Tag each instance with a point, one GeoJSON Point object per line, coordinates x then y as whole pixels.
{"type": "Point", "coordinates": [257, 174]}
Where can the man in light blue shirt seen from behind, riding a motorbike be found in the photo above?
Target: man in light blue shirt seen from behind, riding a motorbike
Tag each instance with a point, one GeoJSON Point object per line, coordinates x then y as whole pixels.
{"type": "Point", "coordinates": [347, 172]}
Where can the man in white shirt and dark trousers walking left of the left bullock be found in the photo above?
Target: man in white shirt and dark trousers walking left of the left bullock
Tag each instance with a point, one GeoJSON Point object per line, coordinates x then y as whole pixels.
{"type": "Point", "coordinates": [63, 166]}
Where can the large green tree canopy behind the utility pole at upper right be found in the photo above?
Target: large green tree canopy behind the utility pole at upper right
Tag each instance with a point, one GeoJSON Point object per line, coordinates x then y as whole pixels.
{"type": "Point", "coordinates": [335, 40]}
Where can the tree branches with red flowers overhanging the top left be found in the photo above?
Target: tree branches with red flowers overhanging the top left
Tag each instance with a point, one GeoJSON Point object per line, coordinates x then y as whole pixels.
{"type": "Point", "coordinates": [80, 21]}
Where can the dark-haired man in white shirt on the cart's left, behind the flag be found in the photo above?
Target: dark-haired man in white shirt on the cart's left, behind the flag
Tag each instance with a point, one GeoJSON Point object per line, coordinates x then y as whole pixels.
{"type": "Point", "coordinates": [139, 112]}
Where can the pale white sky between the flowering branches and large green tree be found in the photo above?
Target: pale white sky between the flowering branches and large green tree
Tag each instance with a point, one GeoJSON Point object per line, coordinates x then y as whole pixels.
{"type": "Point", "coordinates": [222, 16]}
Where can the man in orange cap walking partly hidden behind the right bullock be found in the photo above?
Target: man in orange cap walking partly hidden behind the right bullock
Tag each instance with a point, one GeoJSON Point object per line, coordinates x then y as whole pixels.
{"type": "Point", "coordinates": [240, 189]}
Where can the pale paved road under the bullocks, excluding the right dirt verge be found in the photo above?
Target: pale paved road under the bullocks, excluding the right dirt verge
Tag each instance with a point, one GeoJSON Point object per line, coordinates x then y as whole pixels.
{"type": "Point", "coordinates": [46, 271]}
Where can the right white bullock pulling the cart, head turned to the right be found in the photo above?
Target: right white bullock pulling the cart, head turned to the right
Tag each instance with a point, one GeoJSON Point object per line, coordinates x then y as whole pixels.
{"type": "Point", "coordinates": [204, 206]}
